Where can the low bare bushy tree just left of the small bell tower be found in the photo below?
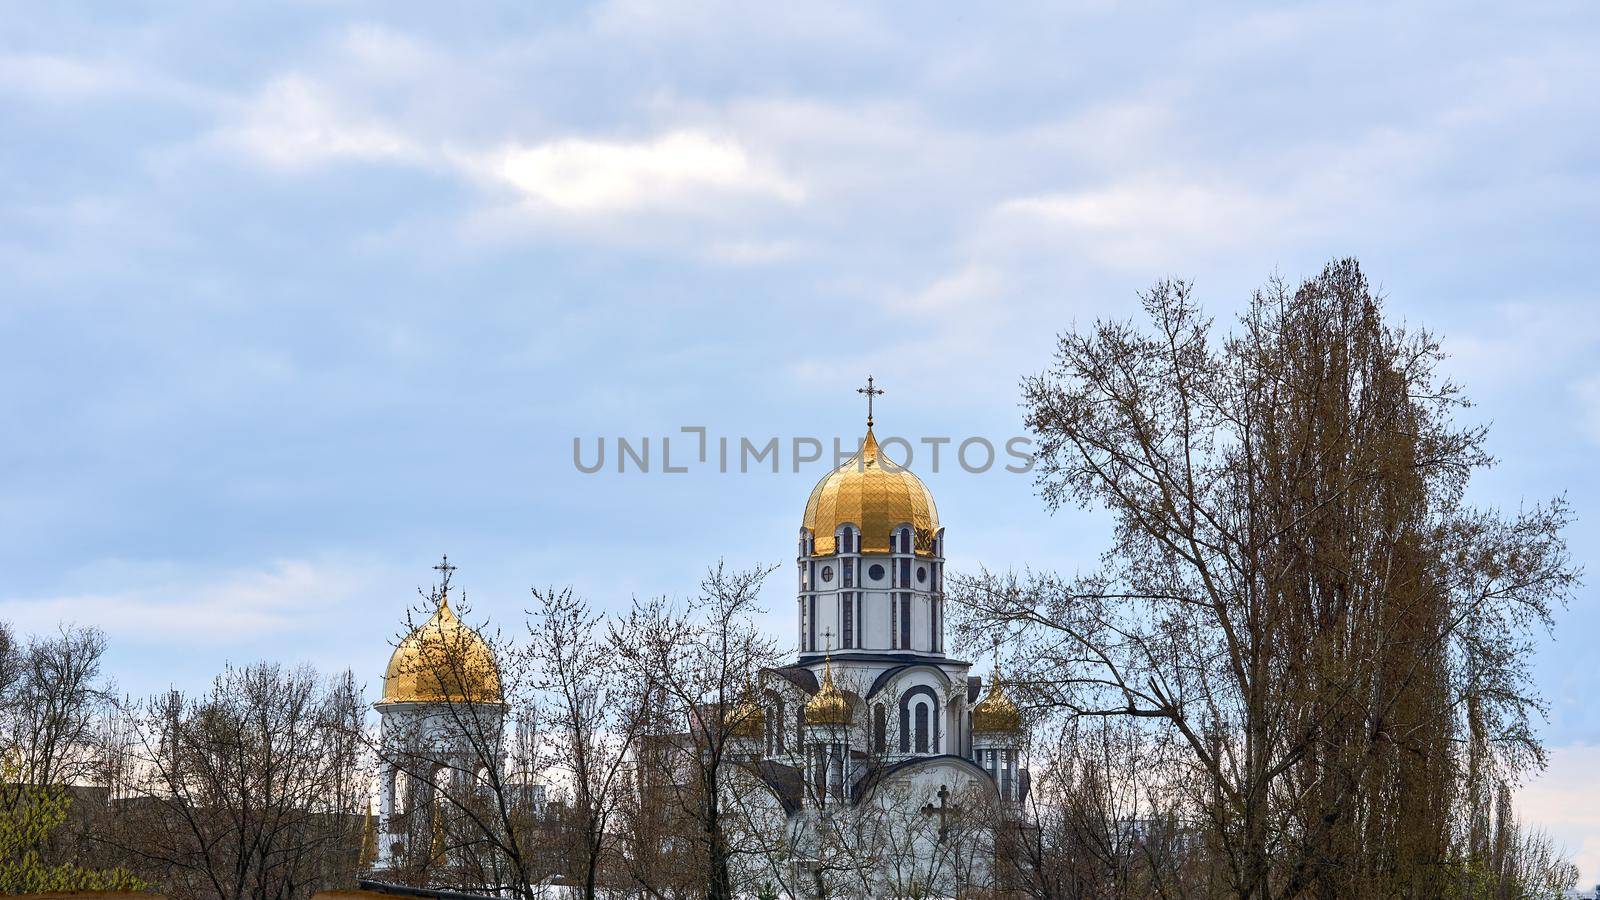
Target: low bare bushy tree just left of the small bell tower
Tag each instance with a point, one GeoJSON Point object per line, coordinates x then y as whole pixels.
{"type": "Point", "coordinates": [254, 790]}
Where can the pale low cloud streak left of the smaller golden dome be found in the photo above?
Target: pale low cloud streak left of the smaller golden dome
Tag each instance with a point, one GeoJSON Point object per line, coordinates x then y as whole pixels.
{"type": "Point", "coordinates": [172, 608]}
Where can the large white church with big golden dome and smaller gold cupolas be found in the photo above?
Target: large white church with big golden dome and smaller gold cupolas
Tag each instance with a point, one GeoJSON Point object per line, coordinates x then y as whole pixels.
{"type": "Point", "coordinates": [890, 768]}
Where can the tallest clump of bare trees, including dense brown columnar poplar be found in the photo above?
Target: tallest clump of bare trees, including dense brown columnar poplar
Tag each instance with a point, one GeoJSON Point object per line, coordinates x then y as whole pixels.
{"type": "Point", "coordinates": [1297, 589]}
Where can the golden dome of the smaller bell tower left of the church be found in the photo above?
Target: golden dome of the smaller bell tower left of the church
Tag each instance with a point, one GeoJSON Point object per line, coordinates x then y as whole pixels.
{"type": "Point", "coordinates": [442, 662]}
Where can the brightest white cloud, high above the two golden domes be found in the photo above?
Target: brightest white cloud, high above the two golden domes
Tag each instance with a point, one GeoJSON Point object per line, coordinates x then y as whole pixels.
{"type": "Point", "coordinates": [602, 177]}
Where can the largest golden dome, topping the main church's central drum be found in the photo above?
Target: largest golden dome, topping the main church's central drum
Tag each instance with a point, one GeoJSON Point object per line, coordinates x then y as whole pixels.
{"type": "Point", "coordinates": [873, 497]}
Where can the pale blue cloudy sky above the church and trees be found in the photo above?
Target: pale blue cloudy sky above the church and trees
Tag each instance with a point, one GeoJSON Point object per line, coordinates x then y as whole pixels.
{"type": "Point", "coordinates": [300, 297]}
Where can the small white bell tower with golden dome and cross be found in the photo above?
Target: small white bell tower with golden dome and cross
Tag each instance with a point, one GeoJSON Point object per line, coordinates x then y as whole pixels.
{"type": "Point", "coordinates": [442, 705]}
